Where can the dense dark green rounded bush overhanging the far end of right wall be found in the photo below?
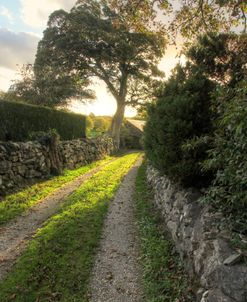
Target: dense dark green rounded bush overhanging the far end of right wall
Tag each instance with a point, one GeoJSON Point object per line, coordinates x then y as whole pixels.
{"type": "Point", "coordinates": [181, 113]}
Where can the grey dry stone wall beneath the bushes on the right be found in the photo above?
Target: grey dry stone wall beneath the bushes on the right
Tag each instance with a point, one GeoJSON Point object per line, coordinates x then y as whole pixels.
{"type": "Point", "coordinates": [220, 271]}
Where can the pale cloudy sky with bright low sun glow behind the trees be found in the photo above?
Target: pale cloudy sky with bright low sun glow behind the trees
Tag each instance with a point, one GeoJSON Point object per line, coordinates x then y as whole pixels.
{"type": "Point", "coordinates": [22, 23]}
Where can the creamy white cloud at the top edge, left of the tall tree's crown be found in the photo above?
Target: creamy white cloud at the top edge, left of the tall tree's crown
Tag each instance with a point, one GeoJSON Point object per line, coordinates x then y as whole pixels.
{"type": "Point", "coordinates": [35, 13]}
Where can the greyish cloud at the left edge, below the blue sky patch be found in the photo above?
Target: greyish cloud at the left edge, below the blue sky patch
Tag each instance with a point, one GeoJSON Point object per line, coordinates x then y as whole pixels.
{"type": "Point", "coordinates": [17, 48]}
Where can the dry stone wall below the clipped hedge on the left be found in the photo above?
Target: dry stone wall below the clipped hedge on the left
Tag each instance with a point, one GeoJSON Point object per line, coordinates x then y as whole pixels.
{"type": "Point", "coordinates": [22, 163]}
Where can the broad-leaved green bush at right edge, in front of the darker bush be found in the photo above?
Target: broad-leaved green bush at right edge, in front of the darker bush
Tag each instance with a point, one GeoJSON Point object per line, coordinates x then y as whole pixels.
{"type": "Point", "coordinates": [229, 157]}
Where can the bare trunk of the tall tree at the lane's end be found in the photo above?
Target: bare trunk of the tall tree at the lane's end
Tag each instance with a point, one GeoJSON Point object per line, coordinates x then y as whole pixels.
{"type": "Point", "coordinates": [116, 124]}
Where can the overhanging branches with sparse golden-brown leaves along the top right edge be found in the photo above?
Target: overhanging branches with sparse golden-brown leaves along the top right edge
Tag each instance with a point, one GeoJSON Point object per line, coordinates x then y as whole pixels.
{"type": "Point", "coordinates": [185, 17]}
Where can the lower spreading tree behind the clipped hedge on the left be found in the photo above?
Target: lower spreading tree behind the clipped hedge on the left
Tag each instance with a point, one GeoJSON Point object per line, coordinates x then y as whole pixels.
{"type": "Point", "coordinates": [51, 90]}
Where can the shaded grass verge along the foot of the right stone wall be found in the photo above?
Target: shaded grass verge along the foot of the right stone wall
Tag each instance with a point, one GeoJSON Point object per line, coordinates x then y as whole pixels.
{"type": "Point", "coordinates": [164, 279]}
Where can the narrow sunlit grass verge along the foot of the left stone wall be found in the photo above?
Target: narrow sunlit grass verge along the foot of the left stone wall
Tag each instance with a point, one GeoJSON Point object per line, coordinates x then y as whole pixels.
{"type": "Point", "coordinates": [17, 203]}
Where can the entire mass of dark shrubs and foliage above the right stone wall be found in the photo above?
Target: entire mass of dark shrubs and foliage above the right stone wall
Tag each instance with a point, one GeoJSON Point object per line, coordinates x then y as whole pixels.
{"type": "Point", "coordinates": [197, 128]}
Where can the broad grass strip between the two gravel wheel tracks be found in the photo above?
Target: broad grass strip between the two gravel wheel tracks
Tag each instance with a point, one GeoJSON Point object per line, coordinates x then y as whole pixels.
{"type": "Point", "coordinates": [57, 263]}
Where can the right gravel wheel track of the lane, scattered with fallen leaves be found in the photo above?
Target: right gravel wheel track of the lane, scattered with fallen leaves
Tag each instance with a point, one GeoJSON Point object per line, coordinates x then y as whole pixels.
{"type": "Point", "coordinates": [116, 275]}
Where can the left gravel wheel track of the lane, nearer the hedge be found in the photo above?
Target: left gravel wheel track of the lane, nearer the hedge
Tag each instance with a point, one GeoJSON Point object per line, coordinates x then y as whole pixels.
{"type": "Point", "coordinates": [16, 234]}
